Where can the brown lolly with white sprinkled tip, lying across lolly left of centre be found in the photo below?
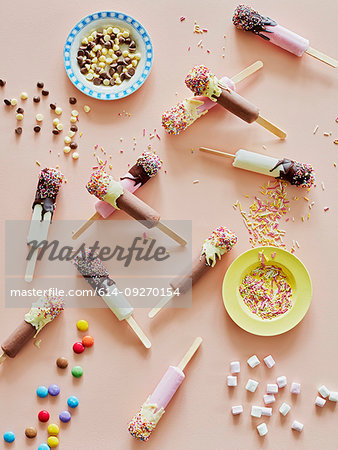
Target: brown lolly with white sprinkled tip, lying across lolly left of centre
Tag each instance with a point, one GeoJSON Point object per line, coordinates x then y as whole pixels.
{"type": "Point", "coordinates": [105, 188]}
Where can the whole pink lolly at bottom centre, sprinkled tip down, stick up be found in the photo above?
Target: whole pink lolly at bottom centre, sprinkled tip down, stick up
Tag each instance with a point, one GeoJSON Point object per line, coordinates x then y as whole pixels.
{"type": "Point", "coordinates": [146, 420]}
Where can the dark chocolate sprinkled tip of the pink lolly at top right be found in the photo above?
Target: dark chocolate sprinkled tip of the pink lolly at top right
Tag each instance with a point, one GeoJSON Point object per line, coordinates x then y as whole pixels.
{"type": "Point", "coordinates": [247, 19]}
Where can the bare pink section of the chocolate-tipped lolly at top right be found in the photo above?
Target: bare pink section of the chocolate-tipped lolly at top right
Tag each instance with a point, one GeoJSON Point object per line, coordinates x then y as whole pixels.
{"type": "Point", "coordinates": [287, 39]}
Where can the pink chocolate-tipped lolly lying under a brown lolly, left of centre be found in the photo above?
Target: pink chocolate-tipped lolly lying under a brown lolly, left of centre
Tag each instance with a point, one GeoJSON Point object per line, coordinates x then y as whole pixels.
{"type": "Point", "coordinates": [146, 167]}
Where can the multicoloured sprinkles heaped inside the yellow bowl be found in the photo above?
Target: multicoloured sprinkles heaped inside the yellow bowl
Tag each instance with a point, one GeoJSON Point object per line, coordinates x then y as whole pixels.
{"type": "Point", "coordinates": [266, 292]}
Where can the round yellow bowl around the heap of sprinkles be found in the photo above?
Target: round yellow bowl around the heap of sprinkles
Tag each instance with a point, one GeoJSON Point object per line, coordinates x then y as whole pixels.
{"type": "Point", "coordinates": [297, 276]}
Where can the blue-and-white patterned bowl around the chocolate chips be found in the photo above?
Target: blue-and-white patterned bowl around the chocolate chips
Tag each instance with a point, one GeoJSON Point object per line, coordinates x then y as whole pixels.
{"type": "Point", "coordinates": [102, 20]}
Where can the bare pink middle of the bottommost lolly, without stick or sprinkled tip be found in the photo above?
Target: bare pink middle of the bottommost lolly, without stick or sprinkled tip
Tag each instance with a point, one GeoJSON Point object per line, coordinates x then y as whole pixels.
{"type": "Point", "coordinates": [167, 387]}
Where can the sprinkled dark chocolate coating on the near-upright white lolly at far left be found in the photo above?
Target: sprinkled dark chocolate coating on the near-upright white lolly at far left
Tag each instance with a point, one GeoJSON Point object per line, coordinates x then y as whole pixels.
{"type": "Point", "coordinates": [48, 187]}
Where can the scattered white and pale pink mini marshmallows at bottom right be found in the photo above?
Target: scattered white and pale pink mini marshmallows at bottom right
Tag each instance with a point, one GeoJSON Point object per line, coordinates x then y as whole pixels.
{"type": "Point", "coordinates": [272, 389]}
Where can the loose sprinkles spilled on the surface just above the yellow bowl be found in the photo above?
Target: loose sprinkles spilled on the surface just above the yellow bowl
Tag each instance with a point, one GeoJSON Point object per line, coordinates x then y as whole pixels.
{"type": "Point", "coordinates": [262, 220]}
